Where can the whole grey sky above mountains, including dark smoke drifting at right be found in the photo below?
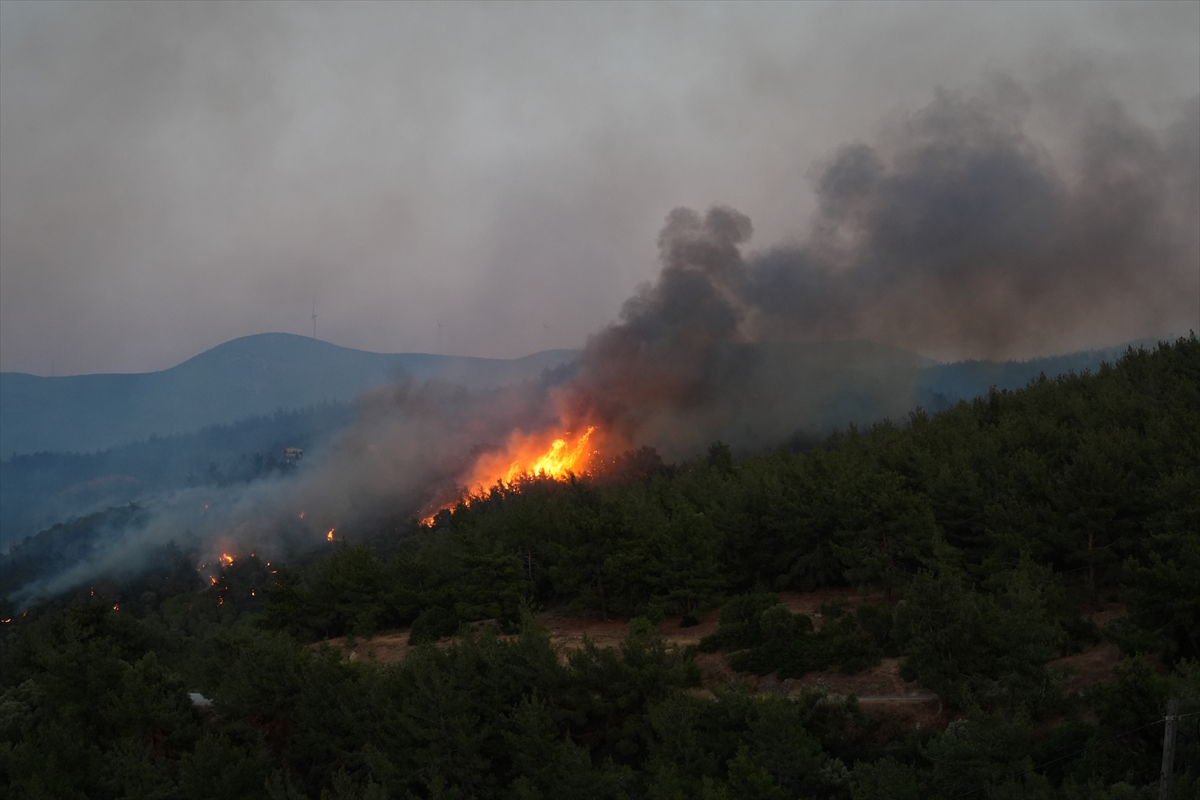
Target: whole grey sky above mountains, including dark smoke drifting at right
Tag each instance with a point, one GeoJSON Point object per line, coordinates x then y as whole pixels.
{"type": "Point", "coordinates": [493, 179]}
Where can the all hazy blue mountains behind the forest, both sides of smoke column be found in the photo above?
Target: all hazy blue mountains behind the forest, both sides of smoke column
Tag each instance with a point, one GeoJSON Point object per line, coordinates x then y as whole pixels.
{"type": "Point", "coordinates": [87, 443]}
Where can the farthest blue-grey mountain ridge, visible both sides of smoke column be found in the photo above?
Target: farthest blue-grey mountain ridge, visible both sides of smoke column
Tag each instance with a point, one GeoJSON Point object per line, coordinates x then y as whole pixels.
{"type": "Point", "coordinates": [256, 376]}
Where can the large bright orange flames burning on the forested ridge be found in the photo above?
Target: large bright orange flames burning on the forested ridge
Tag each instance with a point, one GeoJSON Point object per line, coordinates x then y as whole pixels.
{"type": "Point", "coordinates": [527, 456]}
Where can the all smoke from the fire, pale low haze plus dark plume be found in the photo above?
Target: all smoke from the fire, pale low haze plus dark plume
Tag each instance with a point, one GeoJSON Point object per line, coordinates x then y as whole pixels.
{"type": "Point", "coordinates": [958, 230]}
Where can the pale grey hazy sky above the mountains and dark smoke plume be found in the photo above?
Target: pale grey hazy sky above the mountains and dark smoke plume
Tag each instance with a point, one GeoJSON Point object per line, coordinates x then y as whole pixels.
{"type": "Point", "coordinates": [175, 176]}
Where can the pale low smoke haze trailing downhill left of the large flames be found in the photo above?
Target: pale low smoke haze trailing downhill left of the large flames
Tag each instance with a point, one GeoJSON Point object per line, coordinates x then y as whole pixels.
{"type": "Point", "coordinates": [411, 446]}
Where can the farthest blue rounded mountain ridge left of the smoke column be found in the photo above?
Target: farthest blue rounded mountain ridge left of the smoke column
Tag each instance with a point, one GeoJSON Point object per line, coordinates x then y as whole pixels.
{"type": "Point", "coordinates": [247, 377]}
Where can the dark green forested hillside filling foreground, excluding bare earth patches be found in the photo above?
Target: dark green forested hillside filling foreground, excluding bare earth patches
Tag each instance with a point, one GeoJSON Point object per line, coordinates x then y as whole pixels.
{"type": "Point", "coordinates": [988, 532]}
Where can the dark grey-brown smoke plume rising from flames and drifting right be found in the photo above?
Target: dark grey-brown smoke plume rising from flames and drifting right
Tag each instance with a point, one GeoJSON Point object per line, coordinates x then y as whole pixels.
{"type": "Point", "coordinates": [957, 233]}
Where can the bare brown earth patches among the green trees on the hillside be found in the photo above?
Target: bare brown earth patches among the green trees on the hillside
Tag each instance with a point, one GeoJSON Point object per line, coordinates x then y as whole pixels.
{"type": "Point", "coordinates": [883, 694]}
